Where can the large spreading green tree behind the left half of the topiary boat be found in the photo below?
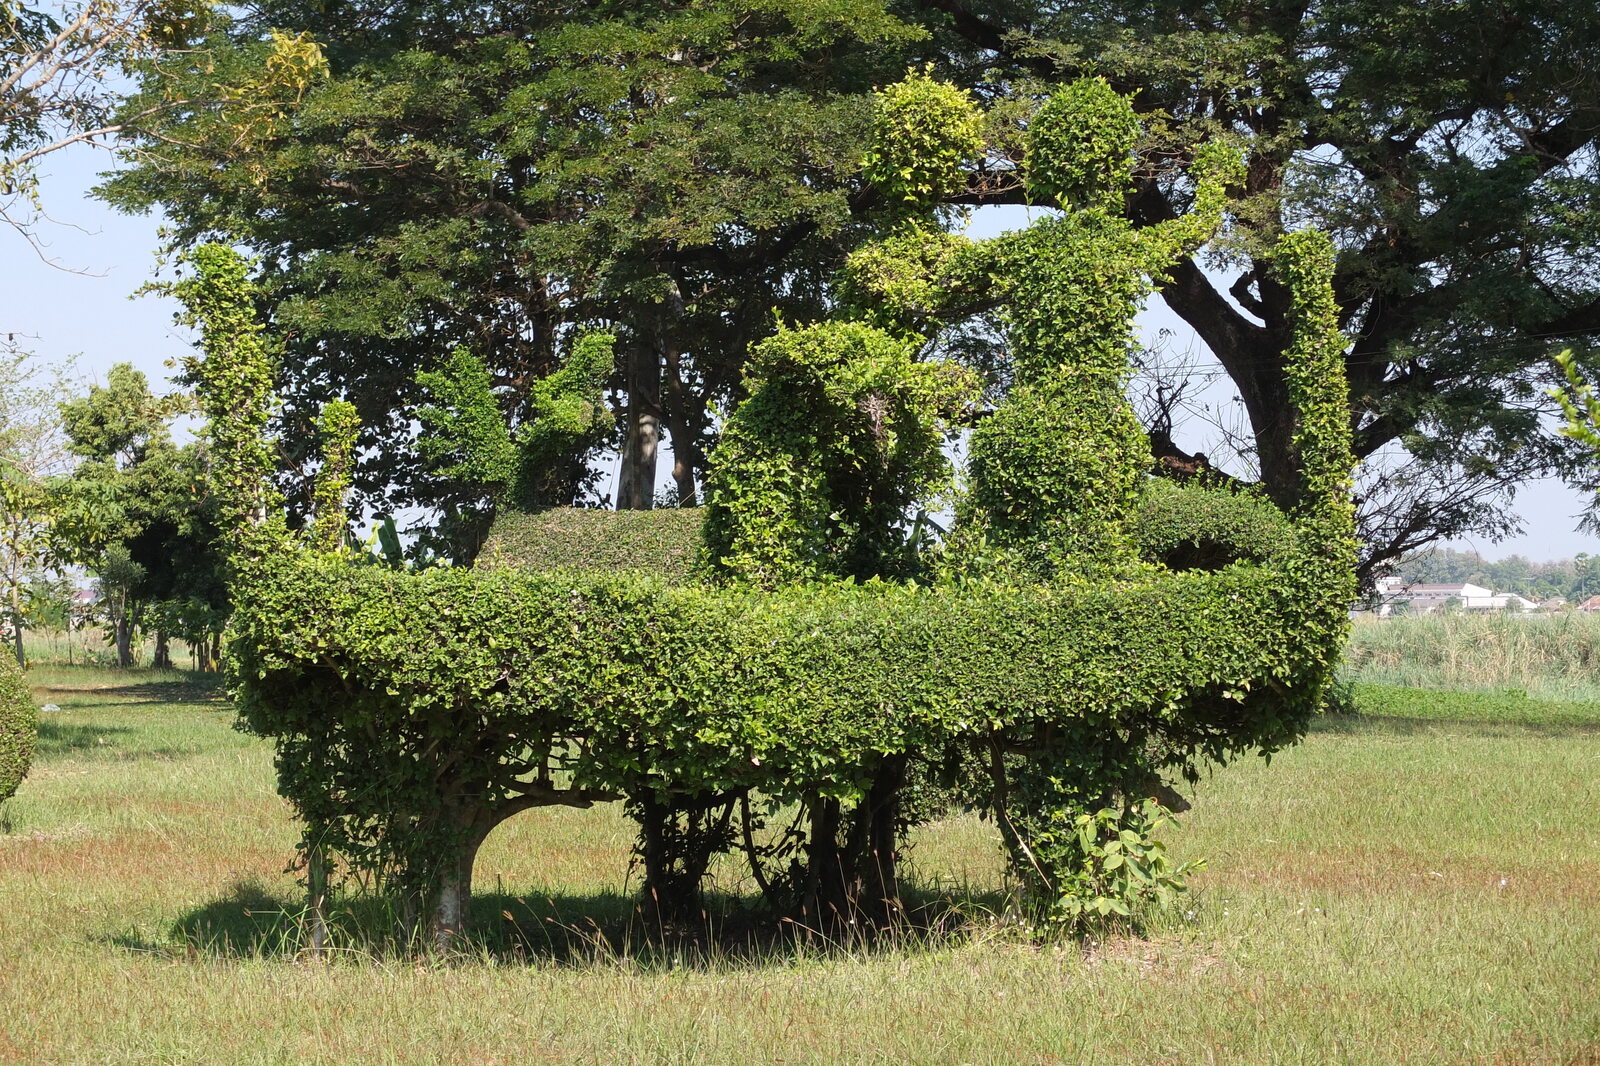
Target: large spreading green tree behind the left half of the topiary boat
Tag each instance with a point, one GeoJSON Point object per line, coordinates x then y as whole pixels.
{"type": "Point", "coordinates": [500, 177]}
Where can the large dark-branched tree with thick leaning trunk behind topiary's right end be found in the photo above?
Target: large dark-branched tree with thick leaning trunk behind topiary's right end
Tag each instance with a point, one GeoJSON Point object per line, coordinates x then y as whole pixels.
{"type": "Point", "coordinates": [1450, 148]}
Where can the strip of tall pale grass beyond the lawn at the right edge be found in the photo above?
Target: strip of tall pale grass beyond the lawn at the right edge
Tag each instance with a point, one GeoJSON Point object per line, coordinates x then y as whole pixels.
{"type": "Point", "coordinates": [1546, 655]}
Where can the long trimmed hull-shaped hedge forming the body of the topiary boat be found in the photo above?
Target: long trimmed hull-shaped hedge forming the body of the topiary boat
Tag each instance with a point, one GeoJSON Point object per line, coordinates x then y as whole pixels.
{"type": "Point", "coordinates": [482, 684]}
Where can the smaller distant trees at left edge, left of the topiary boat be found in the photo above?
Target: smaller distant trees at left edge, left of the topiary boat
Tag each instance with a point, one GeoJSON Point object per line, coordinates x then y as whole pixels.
{"type": "Point", "coordinates": [97, 483]}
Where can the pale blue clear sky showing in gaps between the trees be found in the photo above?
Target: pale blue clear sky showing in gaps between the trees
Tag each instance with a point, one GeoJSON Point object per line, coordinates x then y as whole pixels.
{"type": "Point", "coordinates": [81, 307]}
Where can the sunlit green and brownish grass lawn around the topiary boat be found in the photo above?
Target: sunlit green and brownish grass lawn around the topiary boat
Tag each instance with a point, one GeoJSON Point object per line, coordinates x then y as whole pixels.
{"type": "Point", "coordinates": [1412, 886]}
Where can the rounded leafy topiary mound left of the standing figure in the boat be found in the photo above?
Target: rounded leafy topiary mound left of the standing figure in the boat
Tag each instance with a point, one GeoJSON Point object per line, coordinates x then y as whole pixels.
{"type": "Point", "coordinates": [841, 436]}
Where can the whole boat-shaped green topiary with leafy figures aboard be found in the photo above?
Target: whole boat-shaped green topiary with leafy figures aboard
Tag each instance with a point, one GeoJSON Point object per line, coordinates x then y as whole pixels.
{"type": "Point", "coordinates": [1066, 652]}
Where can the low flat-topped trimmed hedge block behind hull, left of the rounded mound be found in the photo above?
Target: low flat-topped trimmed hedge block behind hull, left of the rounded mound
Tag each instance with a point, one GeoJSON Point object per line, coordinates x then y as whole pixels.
{"type": "Point", "coordinates": [663, 543]}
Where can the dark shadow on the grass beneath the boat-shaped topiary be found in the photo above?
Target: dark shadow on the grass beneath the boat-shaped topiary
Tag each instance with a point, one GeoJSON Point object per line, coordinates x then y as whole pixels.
{"type": "Point", "coordinates": [561, 929]}
